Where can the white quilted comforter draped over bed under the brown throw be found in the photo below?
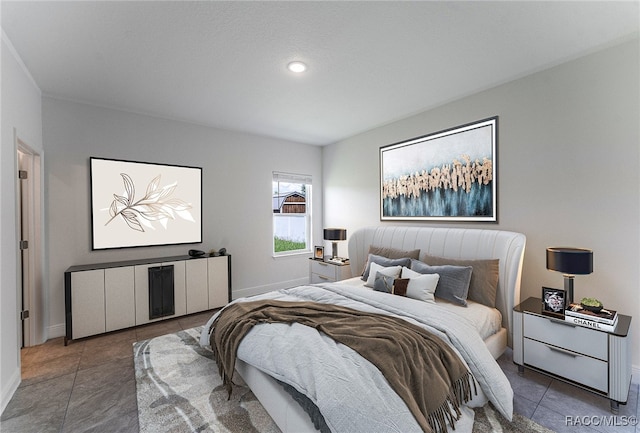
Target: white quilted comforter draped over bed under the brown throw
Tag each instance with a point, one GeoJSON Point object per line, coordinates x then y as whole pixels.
{"type": "Point", "coordinates": [271, 349]}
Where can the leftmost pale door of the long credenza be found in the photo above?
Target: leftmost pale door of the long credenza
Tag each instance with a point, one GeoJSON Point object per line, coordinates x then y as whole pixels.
{"type": "Point", "coordinates": [87, 303]}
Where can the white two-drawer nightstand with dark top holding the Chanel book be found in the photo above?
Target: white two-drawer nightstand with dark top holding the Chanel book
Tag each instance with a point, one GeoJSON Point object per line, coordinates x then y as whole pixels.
{"type": "Point", "coordinates": [595, 360]}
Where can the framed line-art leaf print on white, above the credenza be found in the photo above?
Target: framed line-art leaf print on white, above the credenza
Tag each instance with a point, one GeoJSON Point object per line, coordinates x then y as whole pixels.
{"type": "Point", "coordinates": [136, 204]}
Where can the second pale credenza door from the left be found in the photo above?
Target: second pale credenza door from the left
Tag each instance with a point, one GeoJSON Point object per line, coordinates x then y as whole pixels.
{"type": "Point", "coordinates": [120, 311]}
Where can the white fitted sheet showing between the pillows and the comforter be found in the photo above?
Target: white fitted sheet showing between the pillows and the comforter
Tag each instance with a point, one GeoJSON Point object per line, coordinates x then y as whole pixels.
{"type": "Point", "coordinates": [486, 320]}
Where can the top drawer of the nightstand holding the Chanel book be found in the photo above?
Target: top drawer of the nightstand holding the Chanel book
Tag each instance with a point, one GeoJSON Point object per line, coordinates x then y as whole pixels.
{"type": "Point", "coordinates": [574, 338]}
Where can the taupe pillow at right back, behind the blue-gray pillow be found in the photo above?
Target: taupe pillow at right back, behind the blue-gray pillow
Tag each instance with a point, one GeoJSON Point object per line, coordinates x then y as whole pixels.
{"type": "Point", "coordinates": [484, 278]}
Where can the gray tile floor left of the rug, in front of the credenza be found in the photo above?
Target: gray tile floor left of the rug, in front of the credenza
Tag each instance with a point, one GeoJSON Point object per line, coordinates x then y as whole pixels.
{"type": "Point", "coordinates": [87, 386]}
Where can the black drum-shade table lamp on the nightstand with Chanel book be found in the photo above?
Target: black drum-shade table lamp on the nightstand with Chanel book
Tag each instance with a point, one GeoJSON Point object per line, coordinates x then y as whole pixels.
{"type": "Point", "coordinates": [571, 262]}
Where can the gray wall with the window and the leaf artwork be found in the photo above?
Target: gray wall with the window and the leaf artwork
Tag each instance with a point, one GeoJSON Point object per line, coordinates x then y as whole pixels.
{"type": "Point", "coordinates": [237, 172]}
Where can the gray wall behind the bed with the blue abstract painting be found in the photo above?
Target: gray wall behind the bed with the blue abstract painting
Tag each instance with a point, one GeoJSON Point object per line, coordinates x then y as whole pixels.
{"type": "Point", "coordinates": [568, 162]}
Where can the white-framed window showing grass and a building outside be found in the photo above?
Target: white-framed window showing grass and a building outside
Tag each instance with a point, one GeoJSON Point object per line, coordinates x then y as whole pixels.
{"type": "Point", "coordinates": [291, 203]}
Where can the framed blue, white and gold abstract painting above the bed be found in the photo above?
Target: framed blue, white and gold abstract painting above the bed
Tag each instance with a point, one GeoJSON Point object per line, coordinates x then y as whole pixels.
{"type": "Point", "coordinates": [449, 175]}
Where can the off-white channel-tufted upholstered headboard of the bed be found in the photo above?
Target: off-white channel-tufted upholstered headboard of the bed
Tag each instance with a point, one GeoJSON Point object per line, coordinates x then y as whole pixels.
{"type": "Point", "coordinates": [455, 243]}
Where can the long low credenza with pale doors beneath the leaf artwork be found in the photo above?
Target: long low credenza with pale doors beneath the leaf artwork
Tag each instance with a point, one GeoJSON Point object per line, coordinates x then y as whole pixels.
{"type": "Point", "coordinates": [106, 297]}
